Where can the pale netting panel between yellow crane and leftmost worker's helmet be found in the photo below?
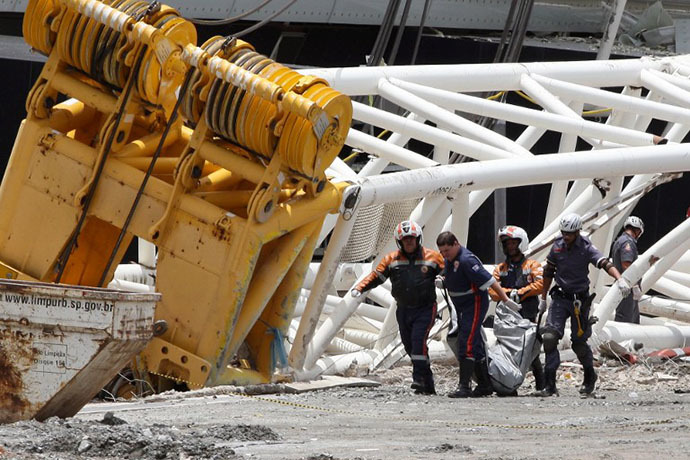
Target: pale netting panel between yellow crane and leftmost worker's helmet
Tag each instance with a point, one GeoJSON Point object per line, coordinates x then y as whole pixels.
{"type": "Point", "coordinates": [374, 228]}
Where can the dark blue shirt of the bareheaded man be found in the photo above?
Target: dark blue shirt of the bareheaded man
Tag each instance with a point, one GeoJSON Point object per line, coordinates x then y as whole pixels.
{"type": "Point", "coordinates": [465, 274]}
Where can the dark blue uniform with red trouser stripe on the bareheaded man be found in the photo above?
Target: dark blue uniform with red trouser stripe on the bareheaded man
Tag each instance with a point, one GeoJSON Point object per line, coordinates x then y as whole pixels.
{"type": "Point", "coordinates": [467, 282]}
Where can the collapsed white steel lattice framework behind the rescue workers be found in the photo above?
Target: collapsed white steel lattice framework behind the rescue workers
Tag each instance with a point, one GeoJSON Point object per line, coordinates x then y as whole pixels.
{"type": "Point", "coordinates": [333, 331]}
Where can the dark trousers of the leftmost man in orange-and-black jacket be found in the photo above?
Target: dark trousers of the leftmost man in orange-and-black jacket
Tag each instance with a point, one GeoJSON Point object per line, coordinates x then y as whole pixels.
{"type": "Point", "coordinates": [414, 325]}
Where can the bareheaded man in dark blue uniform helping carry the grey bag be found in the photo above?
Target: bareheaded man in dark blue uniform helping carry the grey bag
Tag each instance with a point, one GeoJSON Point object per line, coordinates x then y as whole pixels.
{"type": "Point", "coordinates": [467, 282]}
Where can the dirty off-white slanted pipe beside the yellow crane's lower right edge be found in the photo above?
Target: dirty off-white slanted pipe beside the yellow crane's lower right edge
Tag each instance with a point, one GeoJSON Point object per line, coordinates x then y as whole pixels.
{"type": "Point", "coordinates": [329, 265]}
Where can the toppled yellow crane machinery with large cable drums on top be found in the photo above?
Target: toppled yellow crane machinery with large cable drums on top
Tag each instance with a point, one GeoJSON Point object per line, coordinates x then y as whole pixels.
{"type": "Point", "coordinates": [216, 154]}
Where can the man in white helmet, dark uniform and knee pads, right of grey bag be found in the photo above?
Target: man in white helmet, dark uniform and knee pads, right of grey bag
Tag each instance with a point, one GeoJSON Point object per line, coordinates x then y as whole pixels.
{"type": "Point", "coordinates": [568, 263]}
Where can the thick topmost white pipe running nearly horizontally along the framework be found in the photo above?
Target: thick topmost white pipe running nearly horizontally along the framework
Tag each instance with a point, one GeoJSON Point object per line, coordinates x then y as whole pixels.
{"type": "Point", "coordinates": [469, 78]}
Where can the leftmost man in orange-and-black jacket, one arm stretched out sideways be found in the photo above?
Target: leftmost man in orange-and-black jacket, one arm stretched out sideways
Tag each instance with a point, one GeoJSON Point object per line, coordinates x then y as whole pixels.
{"type": "Point", "coordinates": [412, 270]}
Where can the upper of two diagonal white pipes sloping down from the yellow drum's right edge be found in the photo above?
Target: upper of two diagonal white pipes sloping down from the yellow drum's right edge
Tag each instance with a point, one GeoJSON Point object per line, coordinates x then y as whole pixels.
{"type": "Point", "coordinates": [428, 134]}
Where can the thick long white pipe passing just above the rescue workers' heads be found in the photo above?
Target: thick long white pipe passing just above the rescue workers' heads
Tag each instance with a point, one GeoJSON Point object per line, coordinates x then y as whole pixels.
{"type": "Point", "coordinates": [419, 183]}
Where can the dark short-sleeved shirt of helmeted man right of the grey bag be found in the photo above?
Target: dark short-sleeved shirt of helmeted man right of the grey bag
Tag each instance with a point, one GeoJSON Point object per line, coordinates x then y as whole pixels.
{"type": "Point", "coordinates": [572, 265]}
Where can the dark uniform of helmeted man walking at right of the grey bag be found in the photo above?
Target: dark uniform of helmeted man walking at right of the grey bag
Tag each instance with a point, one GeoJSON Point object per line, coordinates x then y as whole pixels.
{"type": "Point", "coordinates": [572, 279]}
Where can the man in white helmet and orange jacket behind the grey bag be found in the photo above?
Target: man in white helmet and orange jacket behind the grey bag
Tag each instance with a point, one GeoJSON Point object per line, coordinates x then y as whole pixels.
{"type": "Point", "coordinates": [522, 279]}
